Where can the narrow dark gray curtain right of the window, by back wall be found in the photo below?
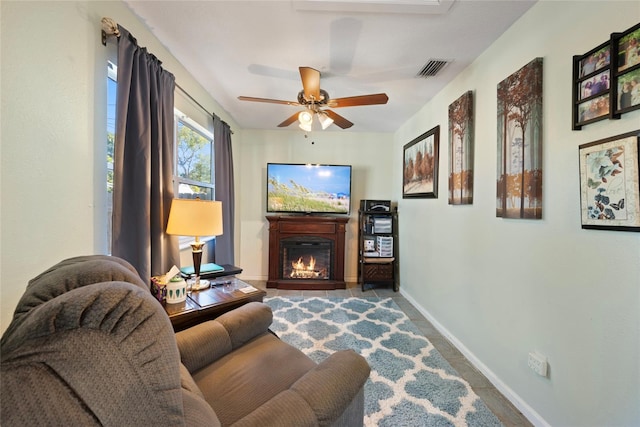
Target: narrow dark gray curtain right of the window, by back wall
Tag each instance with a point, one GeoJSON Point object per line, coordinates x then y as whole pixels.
{"type": "Point", "coordinates": [224, 190]}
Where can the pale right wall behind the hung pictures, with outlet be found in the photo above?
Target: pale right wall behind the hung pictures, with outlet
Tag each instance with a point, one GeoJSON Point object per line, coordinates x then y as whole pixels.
{"type": "Point", "coordinates": [502, 288]}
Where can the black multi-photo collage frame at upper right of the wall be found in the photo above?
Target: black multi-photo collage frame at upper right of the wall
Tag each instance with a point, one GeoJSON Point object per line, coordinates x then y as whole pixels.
{"type": "Point", "coordinates": [606, 80]}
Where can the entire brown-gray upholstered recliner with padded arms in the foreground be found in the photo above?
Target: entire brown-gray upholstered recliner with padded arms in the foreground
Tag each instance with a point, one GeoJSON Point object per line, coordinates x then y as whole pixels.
{"type": "Point", "coordinates": [89, 345]}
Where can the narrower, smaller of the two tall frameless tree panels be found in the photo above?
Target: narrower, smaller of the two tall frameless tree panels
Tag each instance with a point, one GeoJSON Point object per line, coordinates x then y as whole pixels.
{"type": "Point", "coordinates": [461, 134]}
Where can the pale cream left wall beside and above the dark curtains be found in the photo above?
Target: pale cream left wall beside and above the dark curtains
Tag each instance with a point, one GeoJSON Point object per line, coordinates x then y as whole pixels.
{"type": "Point", "coordinates": [54, 133]}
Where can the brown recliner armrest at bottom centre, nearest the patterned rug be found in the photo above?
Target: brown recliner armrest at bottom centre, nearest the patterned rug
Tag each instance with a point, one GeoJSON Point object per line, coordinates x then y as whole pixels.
{"type": "Point", "coordinates": [320, 397]}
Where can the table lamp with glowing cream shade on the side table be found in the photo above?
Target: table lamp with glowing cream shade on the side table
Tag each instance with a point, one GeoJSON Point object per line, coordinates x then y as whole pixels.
{"type": "Point", "coordinates": [197, 218]}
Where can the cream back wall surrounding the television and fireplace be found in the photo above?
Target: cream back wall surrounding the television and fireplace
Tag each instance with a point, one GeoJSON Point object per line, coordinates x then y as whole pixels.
{"type": "Point", "coordinates": [369, 154]}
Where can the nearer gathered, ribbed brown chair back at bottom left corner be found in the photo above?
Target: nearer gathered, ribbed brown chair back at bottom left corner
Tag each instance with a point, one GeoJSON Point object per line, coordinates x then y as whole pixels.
{"type": "Point", "coordinates": [106, 342]}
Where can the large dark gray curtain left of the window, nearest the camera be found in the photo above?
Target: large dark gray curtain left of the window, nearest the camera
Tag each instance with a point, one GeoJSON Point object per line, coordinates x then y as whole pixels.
{"type": "Point", "coordinates": [143, 161]}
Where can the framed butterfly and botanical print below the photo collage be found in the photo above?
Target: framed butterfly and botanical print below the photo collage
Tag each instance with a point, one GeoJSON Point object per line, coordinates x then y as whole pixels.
{"type": "Point", "coordinates": [609, 189]}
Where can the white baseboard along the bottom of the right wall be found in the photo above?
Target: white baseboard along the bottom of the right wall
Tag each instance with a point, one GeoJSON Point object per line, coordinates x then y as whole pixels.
{"type": "Point", "coordinates": [513, 397]}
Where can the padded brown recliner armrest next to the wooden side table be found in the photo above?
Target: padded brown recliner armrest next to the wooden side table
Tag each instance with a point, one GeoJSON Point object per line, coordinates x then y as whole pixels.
{"type": "Point", "coordinates": [205, 343]}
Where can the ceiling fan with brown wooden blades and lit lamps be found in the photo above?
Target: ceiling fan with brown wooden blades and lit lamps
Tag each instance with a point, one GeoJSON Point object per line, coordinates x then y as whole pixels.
{"type": "Point", "coordinates": [316, 100]}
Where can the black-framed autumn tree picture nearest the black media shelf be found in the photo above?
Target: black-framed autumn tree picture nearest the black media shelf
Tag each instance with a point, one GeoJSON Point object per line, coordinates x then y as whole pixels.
{"type": "Point", "coordinates": [420, 166]}
